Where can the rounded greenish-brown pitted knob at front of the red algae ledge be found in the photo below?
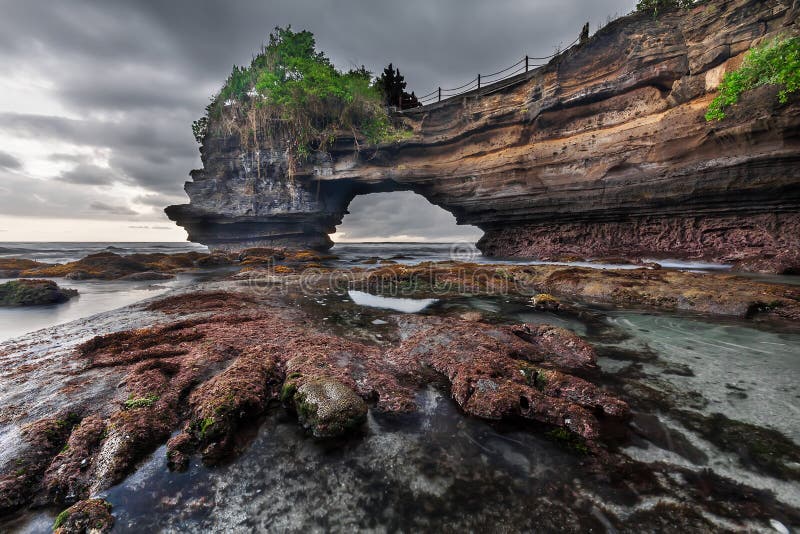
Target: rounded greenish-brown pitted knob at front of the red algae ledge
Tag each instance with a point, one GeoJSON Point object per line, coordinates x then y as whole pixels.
{"type": "Point", "coordinates": [327, 408]}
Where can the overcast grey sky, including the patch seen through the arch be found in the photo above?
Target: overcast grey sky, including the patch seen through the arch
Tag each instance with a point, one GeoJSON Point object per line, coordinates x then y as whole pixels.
{"type": "Point", "coordinates": [98, 96]}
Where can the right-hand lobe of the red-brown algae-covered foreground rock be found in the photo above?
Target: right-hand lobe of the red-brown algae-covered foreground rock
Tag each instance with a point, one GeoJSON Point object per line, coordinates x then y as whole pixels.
{"type": "Point", "coordinates": [492, 378]}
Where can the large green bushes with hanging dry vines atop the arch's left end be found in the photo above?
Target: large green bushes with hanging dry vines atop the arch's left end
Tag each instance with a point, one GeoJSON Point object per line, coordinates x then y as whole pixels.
{"type": "Point", "coordinates": [291, 94]}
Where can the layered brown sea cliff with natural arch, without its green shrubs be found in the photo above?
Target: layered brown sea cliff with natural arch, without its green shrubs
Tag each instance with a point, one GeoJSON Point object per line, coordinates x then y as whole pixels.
{"type": "Point", "coordinates": [604, 151]}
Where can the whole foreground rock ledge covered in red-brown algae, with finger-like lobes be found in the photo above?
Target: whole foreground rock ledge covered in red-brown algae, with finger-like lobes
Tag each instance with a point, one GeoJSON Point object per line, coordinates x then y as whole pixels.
{"type": "Point", "coordinates": [127, 392]}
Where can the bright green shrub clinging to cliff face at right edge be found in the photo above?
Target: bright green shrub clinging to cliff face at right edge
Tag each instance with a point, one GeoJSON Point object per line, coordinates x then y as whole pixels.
{"type": "Point", "coordinates": [775, 63]}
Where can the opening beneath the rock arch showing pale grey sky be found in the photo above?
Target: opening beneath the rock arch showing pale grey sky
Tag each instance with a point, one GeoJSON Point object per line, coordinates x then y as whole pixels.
{"type": "Point", "coordinates": [400, 216]}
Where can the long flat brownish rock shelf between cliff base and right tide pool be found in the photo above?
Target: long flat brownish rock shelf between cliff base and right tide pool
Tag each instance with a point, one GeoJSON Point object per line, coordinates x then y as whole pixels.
{"type": "Point", "coordinates": [709, 293]}
